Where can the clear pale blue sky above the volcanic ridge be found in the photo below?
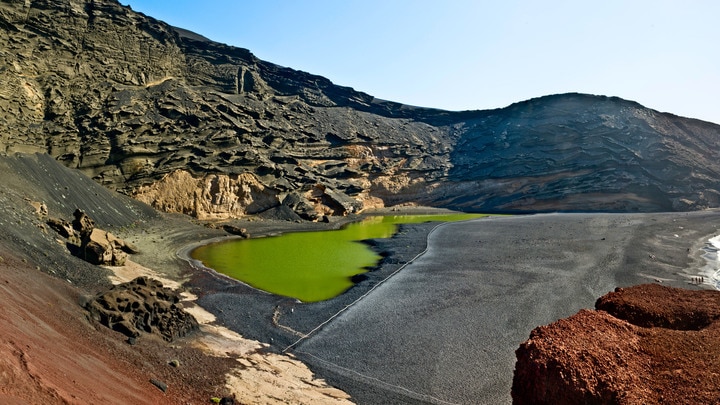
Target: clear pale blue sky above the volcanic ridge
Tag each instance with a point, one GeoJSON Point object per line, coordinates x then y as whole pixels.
{"type": "Point", "coordinates": [477, 54]}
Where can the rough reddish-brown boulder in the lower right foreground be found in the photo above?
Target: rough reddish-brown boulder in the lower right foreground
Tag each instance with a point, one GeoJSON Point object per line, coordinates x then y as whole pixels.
{"type": "Point", "coordinates": [646, 344]}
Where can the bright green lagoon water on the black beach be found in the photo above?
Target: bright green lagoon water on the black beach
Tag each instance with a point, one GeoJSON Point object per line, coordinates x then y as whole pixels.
{"type": "Point", "coordinates": [309, 266]}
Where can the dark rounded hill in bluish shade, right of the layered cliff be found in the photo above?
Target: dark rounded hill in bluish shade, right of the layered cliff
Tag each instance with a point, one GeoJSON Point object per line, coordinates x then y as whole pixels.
{"type": "Point", "coordinates": [581, 152]}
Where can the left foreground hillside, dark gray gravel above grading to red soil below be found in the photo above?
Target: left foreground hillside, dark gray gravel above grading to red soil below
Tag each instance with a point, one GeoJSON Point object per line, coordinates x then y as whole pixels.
{"type": "Point", "coordinates": [51, 352]}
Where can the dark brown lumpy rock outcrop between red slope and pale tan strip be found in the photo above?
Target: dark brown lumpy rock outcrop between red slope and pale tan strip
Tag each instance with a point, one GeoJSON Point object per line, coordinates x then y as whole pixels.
{"type": "Point", "coordinates": [140, 306]}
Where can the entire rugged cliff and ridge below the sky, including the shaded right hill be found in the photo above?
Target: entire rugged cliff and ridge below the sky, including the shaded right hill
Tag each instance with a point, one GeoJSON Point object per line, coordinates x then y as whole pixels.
{"type": "Point", "coordinates": [139, 105]}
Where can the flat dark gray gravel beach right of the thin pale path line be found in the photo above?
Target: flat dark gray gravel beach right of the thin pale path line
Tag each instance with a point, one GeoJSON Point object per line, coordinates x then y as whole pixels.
{"type": "Point", "coordinates": [445, 328]}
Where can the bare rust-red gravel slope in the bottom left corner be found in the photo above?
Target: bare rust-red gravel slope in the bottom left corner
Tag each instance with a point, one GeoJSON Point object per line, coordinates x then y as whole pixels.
{"type": "Point", "coordinates": [51, 354]}
